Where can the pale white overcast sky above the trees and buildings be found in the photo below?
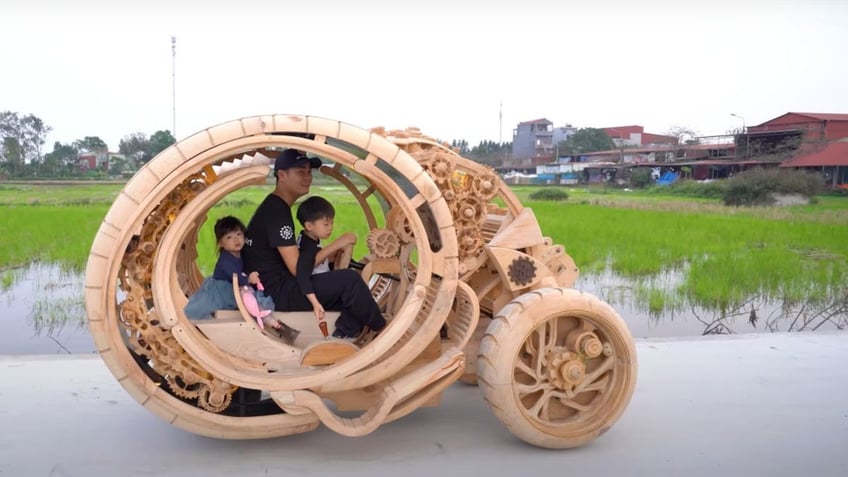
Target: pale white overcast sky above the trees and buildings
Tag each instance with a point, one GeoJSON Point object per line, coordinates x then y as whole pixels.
{"type": "Point", "coordinates": [97, 68]}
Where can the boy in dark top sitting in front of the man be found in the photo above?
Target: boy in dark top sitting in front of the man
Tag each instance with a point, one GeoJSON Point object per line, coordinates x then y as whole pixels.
{"type": "Point", "coordinates": [316, 215]}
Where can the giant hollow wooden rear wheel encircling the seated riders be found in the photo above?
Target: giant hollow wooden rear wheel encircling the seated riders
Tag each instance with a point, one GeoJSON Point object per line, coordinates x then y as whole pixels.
{"type": "Point", "coordinates": [141, 269]}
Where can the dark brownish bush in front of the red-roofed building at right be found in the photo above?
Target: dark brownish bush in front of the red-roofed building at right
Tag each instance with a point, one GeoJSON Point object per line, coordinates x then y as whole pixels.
{"type": "Point", "coordinates": [756, 186]}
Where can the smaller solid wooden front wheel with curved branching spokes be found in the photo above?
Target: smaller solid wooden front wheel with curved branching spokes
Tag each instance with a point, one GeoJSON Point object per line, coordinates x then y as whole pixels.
{"type": "Point", "coordinates": [558, 367]}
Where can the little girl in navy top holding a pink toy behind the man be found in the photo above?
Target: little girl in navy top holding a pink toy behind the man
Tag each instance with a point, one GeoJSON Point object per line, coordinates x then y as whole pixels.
{"type": "Point", "coordinates": [216, 292]}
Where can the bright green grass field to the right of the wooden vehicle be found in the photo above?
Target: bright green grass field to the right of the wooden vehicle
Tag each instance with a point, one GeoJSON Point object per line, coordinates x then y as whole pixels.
{"type": "Point", "coordinates": [725, 254]}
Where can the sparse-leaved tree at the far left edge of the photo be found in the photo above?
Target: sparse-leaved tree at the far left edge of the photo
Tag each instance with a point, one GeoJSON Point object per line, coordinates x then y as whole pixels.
{"type": "Point", "coordinates": [22, 138]}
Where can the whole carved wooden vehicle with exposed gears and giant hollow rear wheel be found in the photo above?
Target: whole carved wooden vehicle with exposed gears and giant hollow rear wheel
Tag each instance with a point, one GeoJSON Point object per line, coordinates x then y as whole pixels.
{"type": "Point", "coordinates": [471, 288]}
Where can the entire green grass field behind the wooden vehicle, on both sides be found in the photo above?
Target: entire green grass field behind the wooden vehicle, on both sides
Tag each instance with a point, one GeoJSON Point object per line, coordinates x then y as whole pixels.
{"type": "Point", "coordinates": [717, 255]}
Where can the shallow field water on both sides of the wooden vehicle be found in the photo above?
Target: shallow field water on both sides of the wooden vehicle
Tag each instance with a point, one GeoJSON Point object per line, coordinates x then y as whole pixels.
{"type": "Point", "coordinates": [42, 311]}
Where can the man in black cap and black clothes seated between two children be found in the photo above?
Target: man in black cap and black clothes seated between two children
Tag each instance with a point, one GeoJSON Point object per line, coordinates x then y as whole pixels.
{"type": "Point", "coordinates": [271, 249]}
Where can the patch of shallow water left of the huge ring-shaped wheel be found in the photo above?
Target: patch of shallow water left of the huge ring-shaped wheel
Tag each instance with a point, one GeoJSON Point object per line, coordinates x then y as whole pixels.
{"type": "Point", "coordinates": [42, 312]}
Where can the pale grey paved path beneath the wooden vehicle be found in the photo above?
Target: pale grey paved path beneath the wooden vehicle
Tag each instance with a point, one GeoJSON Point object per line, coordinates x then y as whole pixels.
{"type": "Point", "coordinates": [753, 405]}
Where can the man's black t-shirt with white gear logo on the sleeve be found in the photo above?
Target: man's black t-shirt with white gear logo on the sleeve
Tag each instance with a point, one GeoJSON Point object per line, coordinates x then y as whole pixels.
{"type": "Point", "coordinates": [270, 227]}
